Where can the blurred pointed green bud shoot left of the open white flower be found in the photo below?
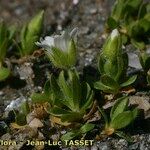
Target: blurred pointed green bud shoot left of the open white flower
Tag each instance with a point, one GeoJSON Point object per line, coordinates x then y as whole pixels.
{"type": "Point", "coordinates": [30, 33]}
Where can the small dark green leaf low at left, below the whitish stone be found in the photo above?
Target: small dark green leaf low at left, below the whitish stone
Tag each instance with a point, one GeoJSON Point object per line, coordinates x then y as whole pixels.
{"type": "Point", "coordinates": [21, 119]}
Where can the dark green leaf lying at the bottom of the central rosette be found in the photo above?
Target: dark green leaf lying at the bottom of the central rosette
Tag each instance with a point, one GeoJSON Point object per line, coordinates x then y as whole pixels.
{"type": "Point", "coordinates": [72, 116]}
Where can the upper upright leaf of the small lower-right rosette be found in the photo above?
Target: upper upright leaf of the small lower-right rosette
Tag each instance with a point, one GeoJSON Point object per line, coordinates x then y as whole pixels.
{"type": "Point", "coordinates": [119, 106]}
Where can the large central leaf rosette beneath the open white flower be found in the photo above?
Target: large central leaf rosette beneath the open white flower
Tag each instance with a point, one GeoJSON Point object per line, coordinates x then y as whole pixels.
{"type": "Point", "coordinates": [69, 99]}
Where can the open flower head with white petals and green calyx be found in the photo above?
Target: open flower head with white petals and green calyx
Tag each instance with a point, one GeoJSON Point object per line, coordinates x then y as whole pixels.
{"type": "Point", "coordinates": [61, 49]}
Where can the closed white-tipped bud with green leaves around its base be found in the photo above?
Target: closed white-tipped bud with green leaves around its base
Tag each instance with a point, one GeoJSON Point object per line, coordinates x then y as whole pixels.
{"type": "Point", "coordinates": [113, 64]}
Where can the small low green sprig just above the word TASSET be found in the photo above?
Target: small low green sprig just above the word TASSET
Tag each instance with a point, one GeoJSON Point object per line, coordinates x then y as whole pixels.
{"type": "Point", "coordinates": [78, 132]}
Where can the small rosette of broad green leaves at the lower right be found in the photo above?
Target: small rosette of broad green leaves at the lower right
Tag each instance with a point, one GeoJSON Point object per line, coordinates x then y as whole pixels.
{"type": "Point", "coordinates": [120, 117]}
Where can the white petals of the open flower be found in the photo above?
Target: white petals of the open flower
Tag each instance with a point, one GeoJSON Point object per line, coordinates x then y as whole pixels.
{"type": "Point", "coordinates": [58, 41]}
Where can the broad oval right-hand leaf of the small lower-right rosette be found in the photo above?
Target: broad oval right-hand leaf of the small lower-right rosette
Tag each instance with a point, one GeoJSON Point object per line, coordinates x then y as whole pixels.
{"type": "Point", "coordinates": [122, 120]}
